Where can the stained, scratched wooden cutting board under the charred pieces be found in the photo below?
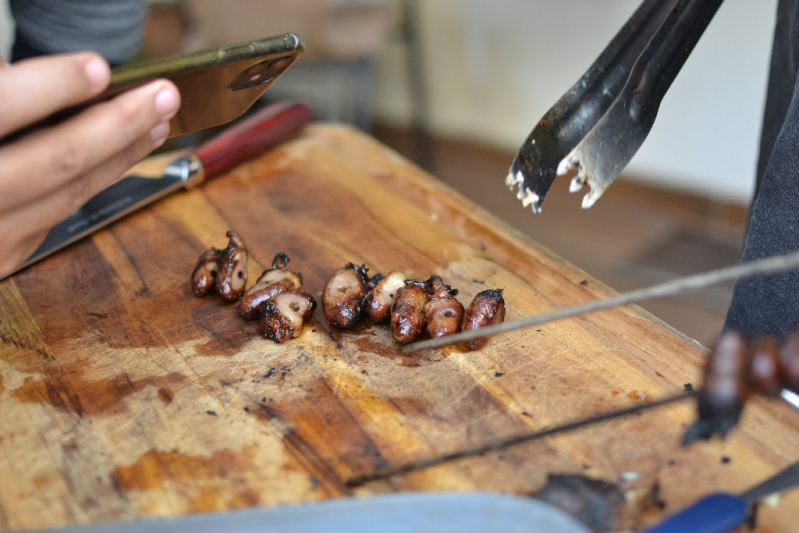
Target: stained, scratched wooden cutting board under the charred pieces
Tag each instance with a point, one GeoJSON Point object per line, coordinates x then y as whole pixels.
{"type": "Point", "coordinates": [123, 396]}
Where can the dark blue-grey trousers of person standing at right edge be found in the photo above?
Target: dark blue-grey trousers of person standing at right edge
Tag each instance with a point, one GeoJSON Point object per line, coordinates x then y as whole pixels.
{"type": "Point", "coordinates": [770, 305]}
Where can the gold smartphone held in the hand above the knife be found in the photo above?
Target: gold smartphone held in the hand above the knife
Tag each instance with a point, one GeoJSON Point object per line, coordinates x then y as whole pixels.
{"type": "Point", "coordinates": [216, 86]}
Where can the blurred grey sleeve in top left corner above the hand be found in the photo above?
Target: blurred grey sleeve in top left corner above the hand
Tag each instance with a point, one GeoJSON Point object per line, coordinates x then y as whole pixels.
{"type": "Point", "coordinates": [112, 28]}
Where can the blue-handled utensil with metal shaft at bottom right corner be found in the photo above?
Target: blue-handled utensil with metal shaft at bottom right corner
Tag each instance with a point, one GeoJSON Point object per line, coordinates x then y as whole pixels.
{"type": "Point", "coordinates": [721, 512]}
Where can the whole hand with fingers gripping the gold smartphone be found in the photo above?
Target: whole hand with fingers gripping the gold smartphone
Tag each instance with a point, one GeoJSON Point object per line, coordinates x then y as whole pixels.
{"type": "Point", "coordinates": [47, 174]}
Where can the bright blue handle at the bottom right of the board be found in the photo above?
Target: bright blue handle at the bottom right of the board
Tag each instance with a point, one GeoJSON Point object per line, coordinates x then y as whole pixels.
{"type": "Point", "coordinates": [717, 513]}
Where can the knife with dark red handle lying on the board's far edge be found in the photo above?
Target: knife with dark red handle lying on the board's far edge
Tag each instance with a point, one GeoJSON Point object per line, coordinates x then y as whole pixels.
{"type": "Point", "coordinates": [250, 137]}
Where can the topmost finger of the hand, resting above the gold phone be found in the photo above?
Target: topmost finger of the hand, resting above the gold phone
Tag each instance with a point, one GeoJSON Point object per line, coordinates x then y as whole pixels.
{"type": "Point", "coordinates": [36, 88]}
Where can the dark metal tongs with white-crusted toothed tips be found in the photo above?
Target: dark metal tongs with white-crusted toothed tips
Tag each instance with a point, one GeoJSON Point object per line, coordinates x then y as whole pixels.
{"type": "Point", "coordinates": [599, 124]}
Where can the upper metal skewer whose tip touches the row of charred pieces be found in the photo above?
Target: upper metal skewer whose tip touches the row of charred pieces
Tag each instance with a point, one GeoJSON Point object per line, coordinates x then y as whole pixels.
{"type": "Point", "coordinates": [769, 265]}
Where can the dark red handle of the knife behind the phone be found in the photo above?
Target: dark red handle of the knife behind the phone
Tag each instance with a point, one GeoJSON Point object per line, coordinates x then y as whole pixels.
{"type": "Point", "coordinates": [250, 137]}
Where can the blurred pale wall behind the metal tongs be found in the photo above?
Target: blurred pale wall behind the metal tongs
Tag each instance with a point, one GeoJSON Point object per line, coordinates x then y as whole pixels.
{"type": "Point", "coordinates": [494, 68]}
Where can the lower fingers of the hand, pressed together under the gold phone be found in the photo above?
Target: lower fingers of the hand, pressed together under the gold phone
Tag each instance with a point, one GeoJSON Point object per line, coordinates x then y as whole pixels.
{"type": "Point", "coordinates": [48, 174]}
